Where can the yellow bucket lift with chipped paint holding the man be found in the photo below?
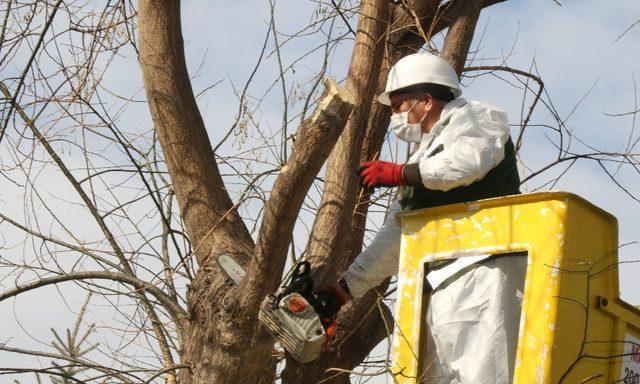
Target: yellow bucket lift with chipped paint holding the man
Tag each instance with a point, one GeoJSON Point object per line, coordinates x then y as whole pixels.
{"type": "Point", "coordinates": [574, 328]}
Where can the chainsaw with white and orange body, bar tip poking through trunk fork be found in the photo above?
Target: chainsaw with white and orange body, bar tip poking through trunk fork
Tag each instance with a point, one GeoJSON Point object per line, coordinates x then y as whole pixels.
{"type": "Point", "coordinates": [293, 314]}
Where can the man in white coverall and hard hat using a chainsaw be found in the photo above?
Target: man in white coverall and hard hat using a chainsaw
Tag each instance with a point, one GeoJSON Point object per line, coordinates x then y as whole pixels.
{"type": "Point", "coordinates": [464, 153]}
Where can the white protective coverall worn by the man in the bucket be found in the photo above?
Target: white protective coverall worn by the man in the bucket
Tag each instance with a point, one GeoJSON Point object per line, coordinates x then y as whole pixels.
{"type": "Point", "coordinates": [474, 310]}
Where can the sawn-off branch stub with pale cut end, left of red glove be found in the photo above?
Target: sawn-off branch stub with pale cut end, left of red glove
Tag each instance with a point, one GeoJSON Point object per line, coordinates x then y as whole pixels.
{"type": "Point", "coordinates": [314, 141]}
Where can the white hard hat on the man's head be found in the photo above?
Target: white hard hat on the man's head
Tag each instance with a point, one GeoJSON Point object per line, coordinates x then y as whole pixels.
{"type": "Point", "coordinates": [420, 68]}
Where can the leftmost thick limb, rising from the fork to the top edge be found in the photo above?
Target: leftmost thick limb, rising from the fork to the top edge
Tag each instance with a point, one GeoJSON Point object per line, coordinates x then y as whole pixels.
{"type": "Point", "coordinates": [200, 191]}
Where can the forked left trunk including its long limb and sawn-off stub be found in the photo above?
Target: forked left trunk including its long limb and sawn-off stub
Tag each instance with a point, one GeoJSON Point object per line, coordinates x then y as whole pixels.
{"type": "Point", "coordinates": [222, 340]}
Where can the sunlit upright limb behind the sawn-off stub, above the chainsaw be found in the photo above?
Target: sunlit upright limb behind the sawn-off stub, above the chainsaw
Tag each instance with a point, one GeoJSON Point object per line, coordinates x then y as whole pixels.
{"type": "Point", "coordinates": [333, 222]}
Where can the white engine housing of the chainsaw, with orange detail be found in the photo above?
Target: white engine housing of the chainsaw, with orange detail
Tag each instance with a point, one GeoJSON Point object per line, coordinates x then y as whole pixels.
{"type": "Point", "coordinates": [297, 327]}
